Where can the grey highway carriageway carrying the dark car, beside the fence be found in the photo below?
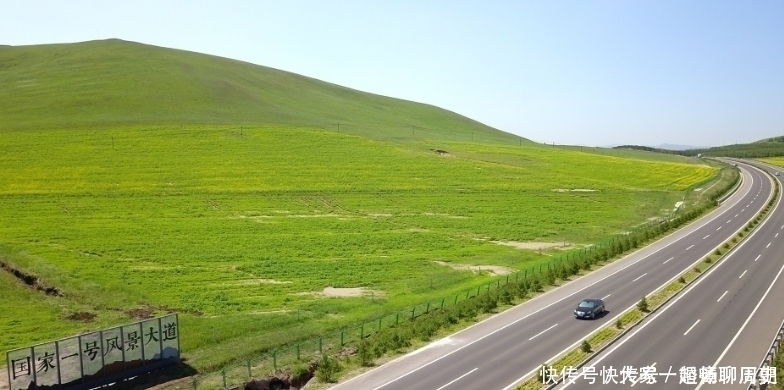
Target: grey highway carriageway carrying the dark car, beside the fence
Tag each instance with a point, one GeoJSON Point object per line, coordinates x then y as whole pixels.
{"type": "Point", "coordinates": [496, 353]}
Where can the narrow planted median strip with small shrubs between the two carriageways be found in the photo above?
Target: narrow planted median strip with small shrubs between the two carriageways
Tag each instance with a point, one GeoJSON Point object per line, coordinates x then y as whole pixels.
{"type": "Point", "coordinates": [603, 336]}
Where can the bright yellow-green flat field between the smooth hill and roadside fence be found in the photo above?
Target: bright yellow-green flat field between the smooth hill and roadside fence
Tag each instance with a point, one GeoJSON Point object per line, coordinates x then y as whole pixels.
{"type": "Point", "coordinates": [242, 229]}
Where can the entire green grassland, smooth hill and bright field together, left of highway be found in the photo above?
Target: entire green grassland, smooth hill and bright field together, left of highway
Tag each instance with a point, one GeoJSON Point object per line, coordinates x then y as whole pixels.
{"type": "Point", "coordinates": [138, 180]}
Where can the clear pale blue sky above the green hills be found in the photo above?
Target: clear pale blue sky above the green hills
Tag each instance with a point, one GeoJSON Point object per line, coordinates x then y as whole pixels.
{"type": "Point", "coordinates": [578, 72]}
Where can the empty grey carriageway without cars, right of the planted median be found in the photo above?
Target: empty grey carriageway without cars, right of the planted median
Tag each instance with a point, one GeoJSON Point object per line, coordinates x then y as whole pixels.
{"type": "Point", "coordinates": [726, 319]}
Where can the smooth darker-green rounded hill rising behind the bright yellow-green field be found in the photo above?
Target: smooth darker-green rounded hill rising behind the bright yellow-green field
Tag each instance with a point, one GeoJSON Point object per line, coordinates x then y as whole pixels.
{"type": "Point", "coordinates": [111, 82]}
